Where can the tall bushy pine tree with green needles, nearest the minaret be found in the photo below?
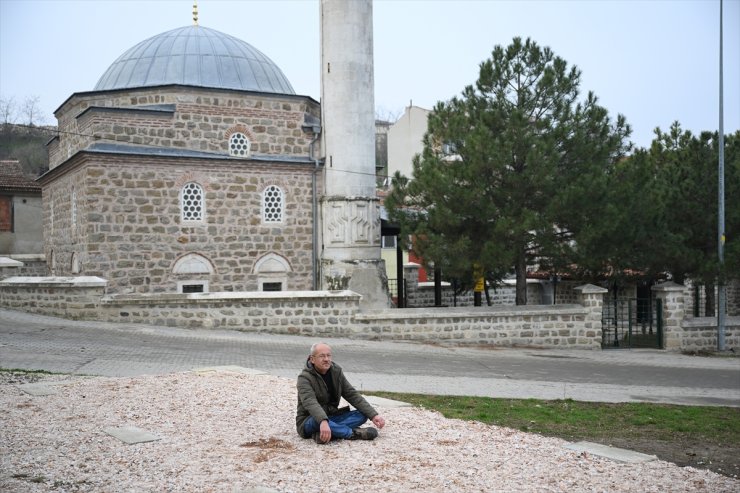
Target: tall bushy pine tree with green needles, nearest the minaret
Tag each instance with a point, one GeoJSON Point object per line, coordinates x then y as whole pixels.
{"type": "Point", "coordinates": [512, 171]}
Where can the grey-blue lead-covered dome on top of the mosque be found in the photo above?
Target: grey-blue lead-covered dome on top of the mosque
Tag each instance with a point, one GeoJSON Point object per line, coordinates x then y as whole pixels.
{"type": "Point", "coordinates": [195, 56]}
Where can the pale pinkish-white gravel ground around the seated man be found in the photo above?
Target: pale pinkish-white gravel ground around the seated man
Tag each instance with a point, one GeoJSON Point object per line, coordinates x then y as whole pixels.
{"type": "Point", "coordinates": [231, 432]}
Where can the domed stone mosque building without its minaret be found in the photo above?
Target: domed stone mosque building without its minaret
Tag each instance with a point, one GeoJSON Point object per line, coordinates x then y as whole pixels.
{"type": "Point", "coordinates": [187, 169]}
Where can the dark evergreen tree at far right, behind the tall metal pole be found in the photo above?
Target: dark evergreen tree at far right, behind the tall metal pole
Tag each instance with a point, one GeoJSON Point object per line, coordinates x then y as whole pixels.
{"type": "Point", "coordinates": [687, 186]}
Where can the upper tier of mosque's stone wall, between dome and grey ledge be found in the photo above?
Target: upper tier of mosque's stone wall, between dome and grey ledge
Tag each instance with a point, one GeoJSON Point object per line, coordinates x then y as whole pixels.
{"type": "Point", "coordinates": [196, 119]}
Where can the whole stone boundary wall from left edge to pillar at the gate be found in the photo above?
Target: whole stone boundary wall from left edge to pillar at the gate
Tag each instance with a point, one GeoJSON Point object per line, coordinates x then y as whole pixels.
{"type": "Point", "coordinates": [313, 313]}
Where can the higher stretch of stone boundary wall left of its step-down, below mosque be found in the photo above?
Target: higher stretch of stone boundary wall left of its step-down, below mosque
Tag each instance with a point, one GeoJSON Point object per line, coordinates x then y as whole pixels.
{"type": "Point", "coordinates": [312, 313]}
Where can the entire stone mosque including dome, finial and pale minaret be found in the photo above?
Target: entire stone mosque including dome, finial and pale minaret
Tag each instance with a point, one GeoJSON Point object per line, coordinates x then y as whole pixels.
{"type": "Point", "coordinates": [193, 166]}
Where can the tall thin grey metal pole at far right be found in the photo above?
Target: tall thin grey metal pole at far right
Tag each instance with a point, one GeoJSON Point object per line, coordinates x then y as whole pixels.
{"type": "Point", "coordinates": [721, 295]}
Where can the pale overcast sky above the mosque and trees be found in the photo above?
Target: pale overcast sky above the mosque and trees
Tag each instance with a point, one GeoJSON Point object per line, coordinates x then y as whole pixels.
{"type": "Point", "coordinates": [654, 61]}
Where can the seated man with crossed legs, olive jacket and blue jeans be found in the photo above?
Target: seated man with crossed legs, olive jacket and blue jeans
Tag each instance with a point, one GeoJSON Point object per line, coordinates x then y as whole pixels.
{"type": "Point", "coordinates": [320, 386]}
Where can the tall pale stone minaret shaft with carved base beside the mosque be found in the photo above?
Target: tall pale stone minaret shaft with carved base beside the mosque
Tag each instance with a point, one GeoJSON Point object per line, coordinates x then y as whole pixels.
{"type": "Point", "coordinates": [350, 218]}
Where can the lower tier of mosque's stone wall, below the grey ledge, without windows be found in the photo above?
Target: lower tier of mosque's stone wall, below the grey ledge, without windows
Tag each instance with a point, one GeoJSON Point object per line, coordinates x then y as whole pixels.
{"type": "Point", "coordinates": [127, 225]}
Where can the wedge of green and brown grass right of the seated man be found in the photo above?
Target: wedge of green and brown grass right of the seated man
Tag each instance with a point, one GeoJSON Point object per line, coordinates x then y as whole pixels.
{"type": "Point", "coordinates": [699, 436]}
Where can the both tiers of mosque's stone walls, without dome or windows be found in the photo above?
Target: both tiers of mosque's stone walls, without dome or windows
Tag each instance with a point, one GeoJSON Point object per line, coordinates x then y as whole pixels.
{"type": "Point", "coordinates": [112, 203]}
